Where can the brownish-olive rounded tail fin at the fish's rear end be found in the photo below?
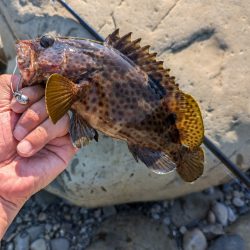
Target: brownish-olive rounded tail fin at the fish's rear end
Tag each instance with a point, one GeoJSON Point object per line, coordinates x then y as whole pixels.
{"type": "Point", "coordinates": [191, 164]}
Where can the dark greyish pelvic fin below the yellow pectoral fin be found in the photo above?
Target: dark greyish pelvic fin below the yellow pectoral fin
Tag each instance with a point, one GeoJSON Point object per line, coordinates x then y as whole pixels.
{"type": "Point", "coordinates": [81, 133]}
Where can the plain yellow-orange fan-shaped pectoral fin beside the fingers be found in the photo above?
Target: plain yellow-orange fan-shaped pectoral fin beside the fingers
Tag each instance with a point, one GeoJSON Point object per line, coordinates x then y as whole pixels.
{"type": "Point", "coordinates": [60, 94]}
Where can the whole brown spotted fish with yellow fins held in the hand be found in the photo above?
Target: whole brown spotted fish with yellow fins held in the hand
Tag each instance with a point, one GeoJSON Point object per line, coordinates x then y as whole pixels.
{"type": "Point", "coordinates": [119, 88]}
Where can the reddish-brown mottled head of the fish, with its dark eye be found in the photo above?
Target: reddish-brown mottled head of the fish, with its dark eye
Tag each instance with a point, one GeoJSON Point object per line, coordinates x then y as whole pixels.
{"type": "Point", "coordinates": [39, 58]}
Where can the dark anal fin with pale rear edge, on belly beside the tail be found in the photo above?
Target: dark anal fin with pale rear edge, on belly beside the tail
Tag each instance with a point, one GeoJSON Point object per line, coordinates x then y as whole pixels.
{"type": "Point", "coordinates": [157, 161]}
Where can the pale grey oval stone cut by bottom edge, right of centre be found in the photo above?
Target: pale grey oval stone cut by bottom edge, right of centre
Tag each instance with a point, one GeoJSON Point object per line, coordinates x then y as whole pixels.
{"type": "Point", "coordinates": [194, 240]}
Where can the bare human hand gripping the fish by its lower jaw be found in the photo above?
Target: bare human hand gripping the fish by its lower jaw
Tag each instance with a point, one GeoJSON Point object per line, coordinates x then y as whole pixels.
{"type": "Point", "coordinates": [33, 151]}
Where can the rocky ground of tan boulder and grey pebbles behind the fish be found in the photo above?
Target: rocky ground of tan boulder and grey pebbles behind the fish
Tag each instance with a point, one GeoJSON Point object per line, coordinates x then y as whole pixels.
{"type": "Point", "coordinates": [203, 49]}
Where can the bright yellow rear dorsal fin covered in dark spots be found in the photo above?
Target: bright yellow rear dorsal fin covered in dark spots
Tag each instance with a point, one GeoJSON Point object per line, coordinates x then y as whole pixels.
{"type": "Point", "coordinates": [188, 118]}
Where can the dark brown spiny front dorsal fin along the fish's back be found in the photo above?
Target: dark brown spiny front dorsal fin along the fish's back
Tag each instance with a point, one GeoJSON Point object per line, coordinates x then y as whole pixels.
{"type": "Point", "coordinates": [142, 57]}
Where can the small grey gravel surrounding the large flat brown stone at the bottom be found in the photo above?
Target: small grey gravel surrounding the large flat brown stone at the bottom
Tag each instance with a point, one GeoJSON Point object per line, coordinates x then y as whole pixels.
{"type": "Point", "coordinates": [196, 221]}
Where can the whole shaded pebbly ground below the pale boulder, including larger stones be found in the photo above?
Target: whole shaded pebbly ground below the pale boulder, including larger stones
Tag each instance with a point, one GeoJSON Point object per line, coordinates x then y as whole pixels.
{"type": "Point", "coordinates": [214, 219]}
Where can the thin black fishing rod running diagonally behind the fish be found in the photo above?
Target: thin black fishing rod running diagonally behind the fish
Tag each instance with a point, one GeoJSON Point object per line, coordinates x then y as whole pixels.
{"type": "Point", "coordinates": [207, 142]}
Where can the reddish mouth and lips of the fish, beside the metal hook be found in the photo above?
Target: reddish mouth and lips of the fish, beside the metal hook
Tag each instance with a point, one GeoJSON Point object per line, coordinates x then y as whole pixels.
{"type": "Point", "coordinates": [26, 61]}
